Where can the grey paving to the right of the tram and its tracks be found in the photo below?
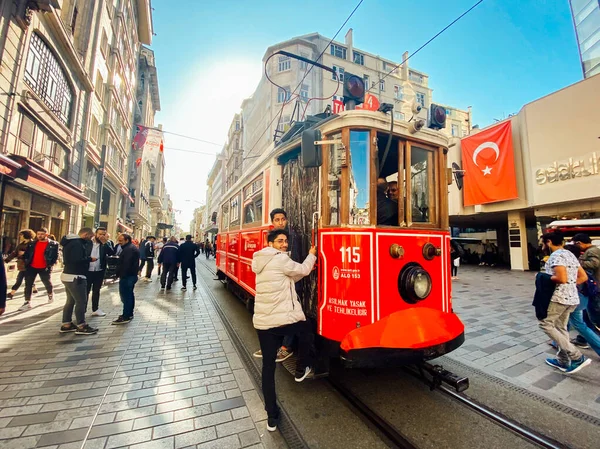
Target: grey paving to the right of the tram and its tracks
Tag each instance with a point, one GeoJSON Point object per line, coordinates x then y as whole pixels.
{"type": "Point", "coordinates": [503, 338]}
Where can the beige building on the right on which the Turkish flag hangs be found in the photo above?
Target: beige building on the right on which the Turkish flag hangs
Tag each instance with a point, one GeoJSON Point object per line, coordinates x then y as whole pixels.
{"type": "Point", "coordinates": [557, 168]}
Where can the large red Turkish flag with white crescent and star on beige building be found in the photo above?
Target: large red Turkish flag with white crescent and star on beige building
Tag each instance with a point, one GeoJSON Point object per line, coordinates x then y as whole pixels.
{"type": "Point", "coordinates": [489, 164]}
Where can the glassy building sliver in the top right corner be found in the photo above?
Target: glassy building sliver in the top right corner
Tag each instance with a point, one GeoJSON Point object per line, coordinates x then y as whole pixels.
{"type": "Point", "coordinates": [586, 19]}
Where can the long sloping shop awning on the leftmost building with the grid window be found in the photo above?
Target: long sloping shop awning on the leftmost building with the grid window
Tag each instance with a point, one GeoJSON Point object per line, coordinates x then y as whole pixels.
{"type": "Point", "coordinates": [35, 177]}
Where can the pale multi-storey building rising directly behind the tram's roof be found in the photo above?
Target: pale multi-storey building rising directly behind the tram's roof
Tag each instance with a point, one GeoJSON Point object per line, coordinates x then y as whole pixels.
{"type": "Point", "coordinates": [388, 81]}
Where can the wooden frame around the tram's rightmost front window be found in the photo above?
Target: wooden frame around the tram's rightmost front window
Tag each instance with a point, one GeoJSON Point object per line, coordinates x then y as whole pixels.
{"type": "Point", "coordinates": [433, 194]}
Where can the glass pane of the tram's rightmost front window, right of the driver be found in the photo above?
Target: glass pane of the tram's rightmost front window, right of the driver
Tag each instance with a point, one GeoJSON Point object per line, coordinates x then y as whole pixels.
{"type": "Point", "coordinates": [421, 182]}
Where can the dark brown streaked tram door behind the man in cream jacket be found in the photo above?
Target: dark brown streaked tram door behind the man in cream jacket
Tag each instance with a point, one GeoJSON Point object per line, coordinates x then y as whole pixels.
{"type": "Point", "coordinates": [300, 200]}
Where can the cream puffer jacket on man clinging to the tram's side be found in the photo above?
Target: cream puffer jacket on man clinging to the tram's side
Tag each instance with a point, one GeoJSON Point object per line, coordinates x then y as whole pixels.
{"type": "Point", "coordinates": [276, 302]}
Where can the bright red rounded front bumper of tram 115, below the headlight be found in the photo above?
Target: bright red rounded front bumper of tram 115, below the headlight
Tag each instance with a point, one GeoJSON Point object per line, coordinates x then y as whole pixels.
{"type": "Point", "coordinates": [406, 336]}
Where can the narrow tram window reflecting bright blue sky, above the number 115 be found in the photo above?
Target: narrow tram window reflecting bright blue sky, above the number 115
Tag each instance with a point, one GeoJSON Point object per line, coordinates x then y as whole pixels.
{"type": "Point", "coordinates": [359, 177]}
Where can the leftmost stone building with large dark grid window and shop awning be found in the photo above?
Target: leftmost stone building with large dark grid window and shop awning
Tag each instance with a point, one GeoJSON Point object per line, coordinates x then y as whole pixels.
{"type": "Point", "coordinates": [44, 81]}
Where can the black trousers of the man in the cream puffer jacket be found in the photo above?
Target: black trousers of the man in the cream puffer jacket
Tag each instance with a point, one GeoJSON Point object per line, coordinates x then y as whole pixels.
{"type": "Point", "coordinates": [270, 341]}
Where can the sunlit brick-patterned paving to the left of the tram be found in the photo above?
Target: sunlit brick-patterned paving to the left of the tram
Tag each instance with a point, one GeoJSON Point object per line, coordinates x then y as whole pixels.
{"type": "Point", "coordinates": [170, 379]}
